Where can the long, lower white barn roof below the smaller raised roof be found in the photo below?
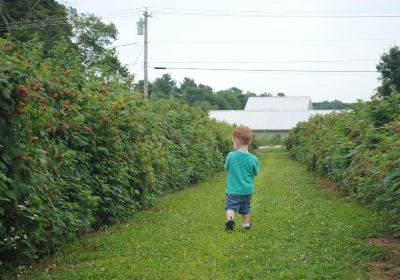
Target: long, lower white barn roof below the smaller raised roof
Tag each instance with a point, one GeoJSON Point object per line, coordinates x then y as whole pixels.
{"type": "Point", "coordinates": [266, 120]}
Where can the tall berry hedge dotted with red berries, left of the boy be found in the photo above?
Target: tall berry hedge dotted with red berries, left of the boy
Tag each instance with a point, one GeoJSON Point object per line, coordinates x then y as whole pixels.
{"type": "Point", "coordinates": [77, 153]}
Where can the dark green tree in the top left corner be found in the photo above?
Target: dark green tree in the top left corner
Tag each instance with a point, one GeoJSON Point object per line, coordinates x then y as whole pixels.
{"type": "Point", "coordinates": [22, 19]}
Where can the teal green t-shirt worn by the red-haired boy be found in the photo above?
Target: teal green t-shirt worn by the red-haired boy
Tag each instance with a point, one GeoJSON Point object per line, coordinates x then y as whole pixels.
{"type": "Point", "coordinates": [241, 167]}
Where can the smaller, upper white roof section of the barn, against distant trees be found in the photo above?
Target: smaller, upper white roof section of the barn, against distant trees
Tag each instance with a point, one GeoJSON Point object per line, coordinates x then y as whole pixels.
{"type": "Point", "coordinates": [279, 103]}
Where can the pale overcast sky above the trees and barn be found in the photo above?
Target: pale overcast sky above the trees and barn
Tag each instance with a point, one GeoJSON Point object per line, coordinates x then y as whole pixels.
{"type": "Point", "coordinates": [307, 35]}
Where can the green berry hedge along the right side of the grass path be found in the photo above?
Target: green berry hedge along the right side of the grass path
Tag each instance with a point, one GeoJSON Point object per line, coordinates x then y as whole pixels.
{"type": "Point", "coordinates": [358, 149]}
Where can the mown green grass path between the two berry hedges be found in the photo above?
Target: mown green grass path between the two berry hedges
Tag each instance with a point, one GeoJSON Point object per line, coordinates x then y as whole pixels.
{"type": "Point", "coordinates": [298, 233]}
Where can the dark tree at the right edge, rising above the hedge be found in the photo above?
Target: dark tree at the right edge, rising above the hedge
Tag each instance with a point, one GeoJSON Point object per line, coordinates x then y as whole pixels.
{"type": "Point", "coordinates": [389, 67]}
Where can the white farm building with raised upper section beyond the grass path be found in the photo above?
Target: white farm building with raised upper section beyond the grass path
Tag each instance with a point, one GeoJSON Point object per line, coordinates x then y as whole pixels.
{"type": "Point", "coordinates": [269, 116]}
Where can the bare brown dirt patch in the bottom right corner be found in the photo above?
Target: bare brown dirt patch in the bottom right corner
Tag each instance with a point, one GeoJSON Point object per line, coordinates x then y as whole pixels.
{"type": "Point", "coordinates": [386, 270]}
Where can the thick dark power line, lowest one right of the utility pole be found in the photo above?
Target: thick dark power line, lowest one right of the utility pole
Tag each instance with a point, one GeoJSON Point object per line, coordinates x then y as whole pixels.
{"type": "Point", "coordinates": [265, 70]}
